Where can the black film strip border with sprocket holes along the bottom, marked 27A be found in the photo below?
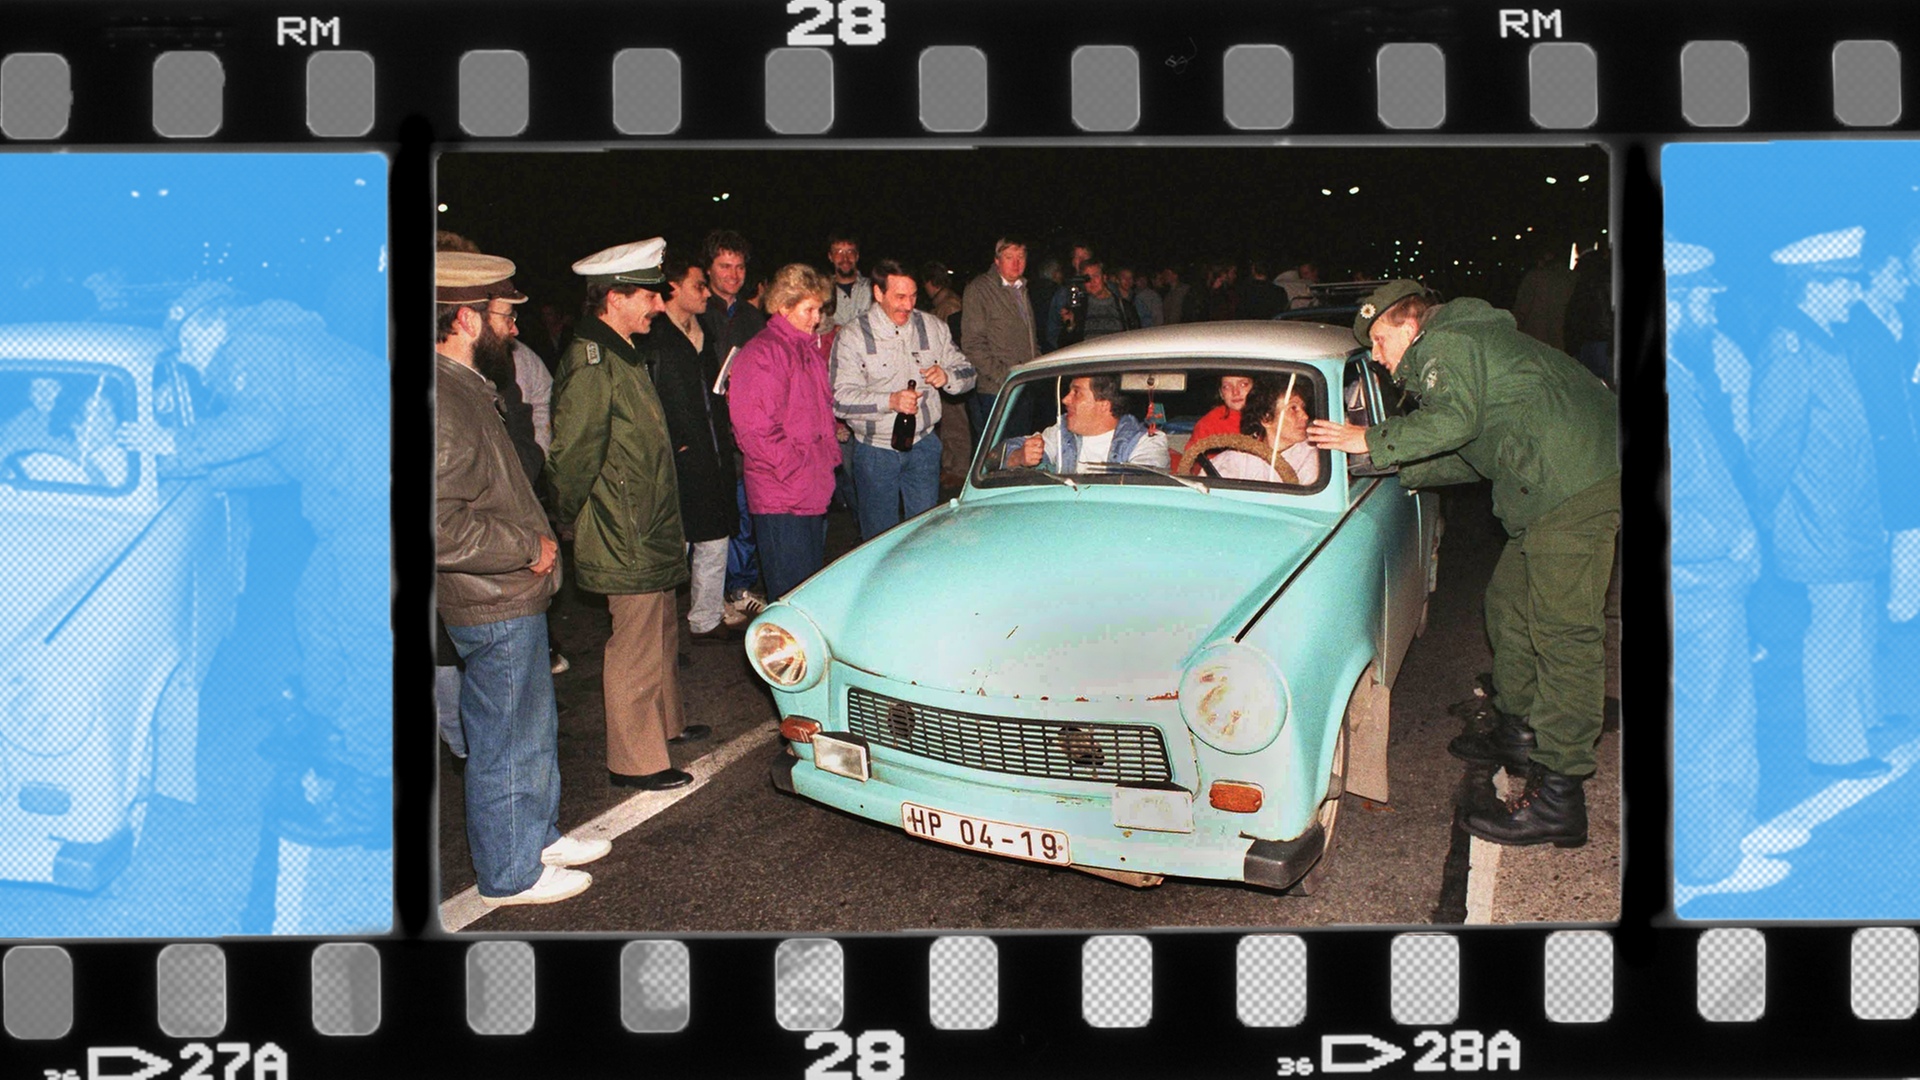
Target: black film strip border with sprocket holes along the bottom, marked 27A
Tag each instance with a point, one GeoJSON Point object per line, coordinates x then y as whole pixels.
{"type": "Point", "coordinates": [1714, 996]}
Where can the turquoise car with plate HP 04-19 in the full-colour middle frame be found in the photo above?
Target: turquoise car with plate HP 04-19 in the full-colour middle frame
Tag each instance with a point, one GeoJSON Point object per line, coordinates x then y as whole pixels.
{"type": "Point", "coordinates": [1124, 670]}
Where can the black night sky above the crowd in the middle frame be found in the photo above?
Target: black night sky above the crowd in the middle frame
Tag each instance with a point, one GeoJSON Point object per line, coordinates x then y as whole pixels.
{"type": "Point", "coordinates": [1134, 205]}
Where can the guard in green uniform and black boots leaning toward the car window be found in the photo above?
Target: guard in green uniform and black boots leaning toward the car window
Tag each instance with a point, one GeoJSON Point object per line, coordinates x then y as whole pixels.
{"type": "Point", "coordinates": [1502, 406]}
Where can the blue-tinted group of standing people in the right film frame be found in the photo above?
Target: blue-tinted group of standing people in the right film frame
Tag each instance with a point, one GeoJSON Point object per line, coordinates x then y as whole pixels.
{"type": "Point", "coordinates": [1796, 524]}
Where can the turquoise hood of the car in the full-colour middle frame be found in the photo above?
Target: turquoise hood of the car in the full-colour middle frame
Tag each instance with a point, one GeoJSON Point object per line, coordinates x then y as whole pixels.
{"type": "Point", "coordinates": [1057, 595]}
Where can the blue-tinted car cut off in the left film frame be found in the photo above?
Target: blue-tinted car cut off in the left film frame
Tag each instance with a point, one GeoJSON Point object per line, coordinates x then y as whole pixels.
{"type": "Point", "coordinates": [122, 591]}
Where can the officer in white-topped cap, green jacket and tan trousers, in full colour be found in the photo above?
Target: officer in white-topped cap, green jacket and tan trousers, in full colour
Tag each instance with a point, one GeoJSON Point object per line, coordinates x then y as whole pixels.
{"type": "Point", "coordinates": [615, 487]}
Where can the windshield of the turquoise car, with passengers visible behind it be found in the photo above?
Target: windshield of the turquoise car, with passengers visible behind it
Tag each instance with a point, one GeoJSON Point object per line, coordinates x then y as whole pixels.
{"type": "Point", "coordinates": [1136, 426]}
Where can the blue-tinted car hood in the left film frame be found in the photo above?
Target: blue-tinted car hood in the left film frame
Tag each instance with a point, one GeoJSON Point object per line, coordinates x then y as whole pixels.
{"type": "Point", "coordinates": [68, 556]}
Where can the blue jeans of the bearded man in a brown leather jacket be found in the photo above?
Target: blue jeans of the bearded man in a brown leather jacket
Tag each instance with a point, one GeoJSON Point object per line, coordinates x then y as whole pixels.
{"type": "Point", "coordinates": [514, 773]}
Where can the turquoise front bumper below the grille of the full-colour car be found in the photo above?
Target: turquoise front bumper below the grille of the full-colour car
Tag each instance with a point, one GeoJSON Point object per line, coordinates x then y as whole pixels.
{"type": "Point", "coordinates": [1093, 839]}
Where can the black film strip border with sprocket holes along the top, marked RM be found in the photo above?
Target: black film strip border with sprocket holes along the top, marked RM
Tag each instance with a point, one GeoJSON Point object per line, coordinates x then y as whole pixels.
{"type": "Point", "coordinates": [260, 76]}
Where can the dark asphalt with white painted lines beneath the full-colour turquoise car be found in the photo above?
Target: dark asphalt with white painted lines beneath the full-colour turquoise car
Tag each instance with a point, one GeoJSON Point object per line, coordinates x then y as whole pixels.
{"type": "Point", "coordinates": [734, 854]}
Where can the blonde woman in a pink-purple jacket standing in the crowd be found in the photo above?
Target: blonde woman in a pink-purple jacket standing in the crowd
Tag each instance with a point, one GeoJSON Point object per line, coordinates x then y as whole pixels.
{"type": "Point", "coordinates": [782, 410]}
